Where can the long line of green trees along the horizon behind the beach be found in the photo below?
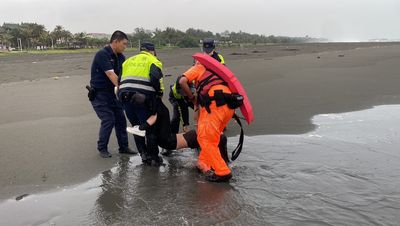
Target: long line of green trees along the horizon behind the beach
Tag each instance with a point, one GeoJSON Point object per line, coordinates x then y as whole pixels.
{"type": "Point", "coordinates": [35, 36]}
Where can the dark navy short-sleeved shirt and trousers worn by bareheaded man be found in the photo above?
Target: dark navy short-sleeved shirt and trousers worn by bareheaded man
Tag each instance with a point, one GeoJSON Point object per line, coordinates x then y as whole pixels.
{"type": "Point", "coordinates": [107, 107]}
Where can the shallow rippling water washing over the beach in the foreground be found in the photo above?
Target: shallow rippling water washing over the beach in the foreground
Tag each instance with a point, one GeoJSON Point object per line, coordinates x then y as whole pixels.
{"type": "Point", "coordinates": [344, 173]}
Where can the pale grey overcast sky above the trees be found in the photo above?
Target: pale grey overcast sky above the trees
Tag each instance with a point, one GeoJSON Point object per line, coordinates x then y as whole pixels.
{"type": "Point", "coordinates": [338, 20]}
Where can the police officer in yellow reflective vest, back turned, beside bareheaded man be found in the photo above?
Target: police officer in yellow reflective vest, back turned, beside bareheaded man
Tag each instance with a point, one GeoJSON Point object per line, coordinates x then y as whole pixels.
{"type": "Point", "coordinates": [142, 75]}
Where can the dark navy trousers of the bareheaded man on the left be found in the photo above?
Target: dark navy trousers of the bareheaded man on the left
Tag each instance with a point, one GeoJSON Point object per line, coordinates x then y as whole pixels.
{"type": "Point", "coordinates": [111, 114]}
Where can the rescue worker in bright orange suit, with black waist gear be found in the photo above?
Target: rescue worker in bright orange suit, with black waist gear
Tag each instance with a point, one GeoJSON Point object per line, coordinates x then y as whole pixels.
{"type": "Point", "coordinates": [212, 119]}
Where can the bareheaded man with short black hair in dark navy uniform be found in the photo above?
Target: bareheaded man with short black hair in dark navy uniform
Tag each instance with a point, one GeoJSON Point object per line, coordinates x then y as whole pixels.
{"type": "Point", "coordinates": [106, 67]}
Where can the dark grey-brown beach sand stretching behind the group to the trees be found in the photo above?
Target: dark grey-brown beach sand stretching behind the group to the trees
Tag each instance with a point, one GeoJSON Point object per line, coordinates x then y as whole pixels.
{"type": "Point", "coordinates": [49, 131]}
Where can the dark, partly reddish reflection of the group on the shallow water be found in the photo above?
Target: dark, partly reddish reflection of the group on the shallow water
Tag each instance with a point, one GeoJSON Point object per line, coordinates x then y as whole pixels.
{"type": "Point", "coordinates": [173, 193]}
